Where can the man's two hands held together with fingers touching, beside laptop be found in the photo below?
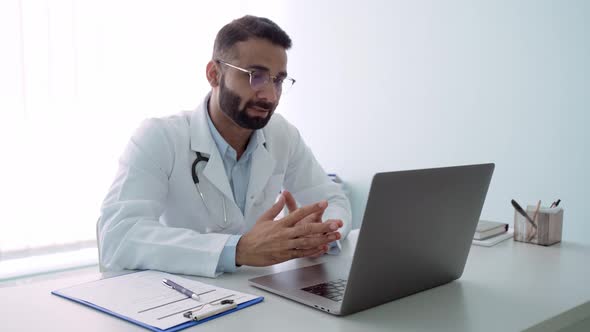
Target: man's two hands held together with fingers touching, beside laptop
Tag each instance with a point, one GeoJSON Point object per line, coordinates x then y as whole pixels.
{"type": "Point", "coordinates": [296, 235]}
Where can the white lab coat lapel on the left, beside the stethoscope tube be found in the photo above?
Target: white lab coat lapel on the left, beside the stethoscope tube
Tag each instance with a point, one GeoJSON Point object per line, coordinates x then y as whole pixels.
{"type": "Point", "coordinates": [202, 141]}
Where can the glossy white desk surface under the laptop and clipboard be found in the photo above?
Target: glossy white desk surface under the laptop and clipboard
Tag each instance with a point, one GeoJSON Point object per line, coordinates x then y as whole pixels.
{"type": "Point", "coordinates": [508, 287]}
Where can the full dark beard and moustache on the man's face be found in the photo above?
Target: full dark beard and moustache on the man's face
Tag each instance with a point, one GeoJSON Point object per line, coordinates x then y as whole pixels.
{"type": "Point", "coordinates": [229, 102]}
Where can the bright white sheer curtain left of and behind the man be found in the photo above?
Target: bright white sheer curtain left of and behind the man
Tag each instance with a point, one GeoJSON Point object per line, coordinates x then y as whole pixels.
{"type": "Point", "coordinates": [76, 78]}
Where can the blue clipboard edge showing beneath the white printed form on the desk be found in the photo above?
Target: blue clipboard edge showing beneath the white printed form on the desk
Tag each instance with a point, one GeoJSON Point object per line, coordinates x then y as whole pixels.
{"type": "Point", "coordinates": [153, 328]}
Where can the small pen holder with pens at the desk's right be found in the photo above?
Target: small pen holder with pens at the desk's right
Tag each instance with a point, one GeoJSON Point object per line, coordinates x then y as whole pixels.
{"type": "Point", "coordinates": [549, 225]}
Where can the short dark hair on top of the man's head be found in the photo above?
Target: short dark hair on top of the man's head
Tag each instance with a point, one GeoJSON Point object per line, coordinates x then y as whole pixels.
{"type": "Point", "coordinates": [247, 27]}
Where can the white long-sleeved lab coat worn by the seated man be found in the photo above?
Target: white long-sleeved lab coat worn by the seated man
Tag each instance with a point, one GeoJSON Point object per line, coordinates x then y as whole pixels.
{"type": "Point", "coordinates": [154, 218]}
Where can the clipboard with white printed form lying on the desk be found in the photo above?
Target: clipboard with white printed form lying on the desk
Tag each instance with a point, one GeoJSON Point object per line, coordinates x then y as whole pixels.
{"type": "Point", "coordinates": [143, 299]}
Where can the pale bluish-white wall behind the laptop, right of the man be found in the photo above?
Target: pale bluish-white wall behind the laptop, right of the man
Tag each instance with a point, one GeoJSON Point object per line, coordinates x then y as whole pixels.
{"type": "Point", "coordinates": [391, 85]}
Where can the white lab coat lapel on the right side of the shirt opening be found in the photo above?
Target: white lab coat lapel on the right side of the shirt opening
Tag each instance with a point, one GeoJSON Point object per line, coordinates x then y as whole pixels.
{"type": "Point", "coordinates": [262, 168]}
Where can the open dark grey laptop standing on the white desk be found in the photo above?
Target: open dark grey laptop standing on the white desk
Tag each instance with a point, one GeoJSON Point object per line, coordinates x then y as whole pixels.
{"type": "Point", "coordinates": [416, 234]}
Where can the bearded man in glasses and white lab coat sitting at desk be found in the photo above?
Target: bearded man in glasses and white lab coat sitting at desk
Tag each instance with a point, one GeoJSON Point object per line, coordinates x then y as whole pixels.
{"type": "Point", "coordinates": [196, 193]}
